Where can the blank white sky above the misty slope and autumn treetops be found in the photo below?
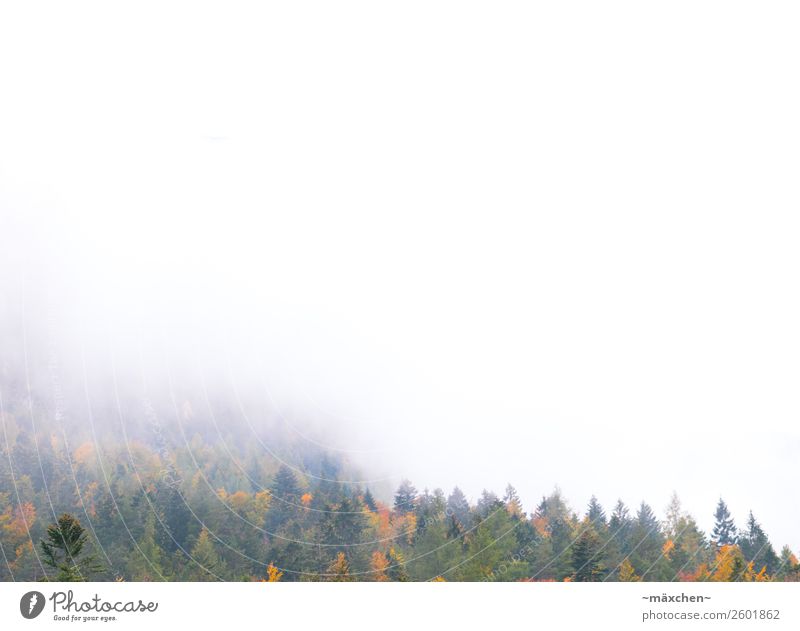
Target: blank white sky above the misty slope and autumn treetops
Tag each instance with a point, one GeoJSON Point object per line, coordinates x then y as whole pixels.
{"type": "Point", "coordinates": [497, 241]}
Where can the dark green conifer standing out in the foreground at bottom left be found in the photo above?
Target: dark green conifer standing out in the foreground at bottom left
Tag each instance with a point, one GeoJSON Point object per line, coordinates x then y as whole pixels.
{"type": "Point", "coordinates": [63, 550]}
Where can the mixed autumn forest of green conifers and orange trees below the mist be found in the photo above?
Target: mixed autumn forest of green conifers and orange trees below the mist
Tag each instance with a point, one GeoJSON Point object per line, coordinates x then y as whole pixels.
{"type": "Point", "coordinates": [109, 509]}
